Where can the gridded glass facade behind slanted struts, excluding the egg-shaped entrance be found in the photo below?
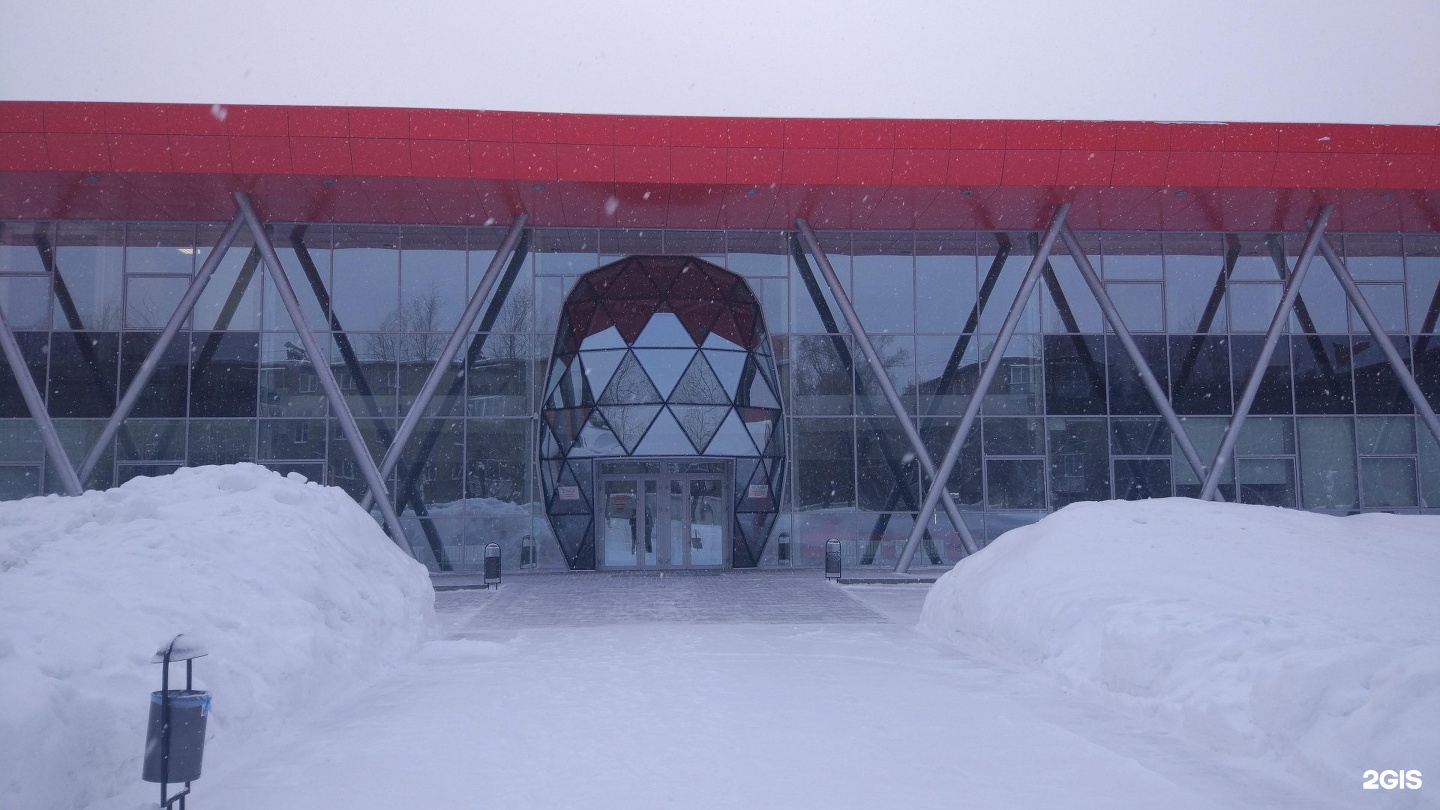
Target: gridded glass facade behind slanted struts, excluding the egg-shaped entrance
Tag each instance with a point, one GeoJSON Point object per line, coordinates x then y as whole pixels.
{"type": "Point", "coordinates": [1065, 420]}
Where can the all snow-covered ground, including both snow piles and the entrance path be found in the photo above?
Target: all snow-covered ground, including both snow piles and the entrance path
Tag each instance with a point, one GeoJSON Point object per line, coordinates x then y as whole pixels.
{"type": "Point", "coordinates": [1124, 655]}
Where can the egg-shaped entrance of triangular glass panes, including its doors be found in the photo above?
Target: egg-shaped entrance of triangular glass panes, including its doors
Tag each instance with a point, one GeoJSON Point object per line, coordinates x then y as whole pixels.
{"type": "Point", "coordinates": [662, 427]}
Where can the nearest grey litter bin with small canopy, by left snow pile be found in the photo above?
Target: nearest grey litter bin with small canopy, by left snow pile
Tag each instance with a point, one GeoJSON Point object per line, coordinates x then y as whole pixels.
{"type": "Point", "coordinates": [175, 742]}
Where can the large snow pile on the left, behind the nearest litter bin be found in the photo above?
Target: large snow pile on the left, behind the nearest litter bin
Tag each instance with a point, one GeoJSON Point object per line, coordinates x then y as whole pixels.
{"type": "Point", "coordinates": [293, 589]}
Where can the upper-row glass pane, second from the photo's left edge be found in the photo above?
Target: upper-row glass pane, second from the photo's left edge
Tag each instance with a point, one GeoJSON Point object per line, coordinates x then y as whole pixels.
{"type": "Point", "coordinates": [89, 264]}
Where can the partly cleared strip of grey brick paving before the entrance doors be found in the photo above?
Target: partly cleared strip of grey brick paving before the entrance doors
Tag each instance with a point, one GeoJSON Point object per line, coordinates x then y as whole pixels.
{"type": "Point", "coordinates": [588, 600]}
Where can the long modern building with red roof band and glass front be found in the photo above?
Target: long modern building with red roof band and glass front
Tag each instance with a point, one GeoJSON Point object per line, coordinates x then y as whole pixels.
{"type": "Point", "coordinates": [666, 342]}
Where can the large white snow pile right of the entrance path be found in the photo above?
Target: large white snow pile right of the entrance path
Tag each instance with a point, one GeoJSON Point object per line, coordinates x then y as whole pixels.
{"type": "Point", "coordinates": [1302, 639]}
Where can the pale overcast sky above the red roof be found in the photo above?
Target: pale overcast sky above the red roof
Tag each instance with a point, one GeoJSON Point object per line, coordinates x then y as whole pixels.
{"type": "Point", "coordinates": [1323, 61]}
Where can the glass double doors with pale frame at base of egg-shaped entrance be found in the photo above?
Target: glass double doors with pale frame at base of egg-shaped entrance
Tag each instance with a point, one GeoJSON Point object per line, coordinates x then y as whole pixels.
{"type": "Point", "coordinates": [663, 514]}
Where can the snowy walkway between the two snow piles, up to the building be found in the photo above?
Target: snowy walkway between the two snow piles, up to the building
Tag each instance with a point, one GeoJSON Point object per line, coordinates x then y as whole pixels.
{"type": "Point", "coordinates": [745, 690]}
